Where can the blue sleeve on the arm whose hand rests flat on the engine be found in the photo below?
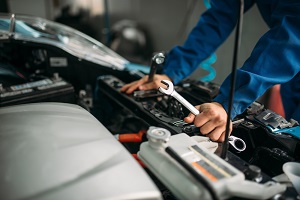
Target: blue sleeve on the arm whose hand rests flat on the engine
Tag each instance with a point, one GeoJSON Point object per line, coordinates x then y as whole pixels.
{"type": "Point", "coordinates": [212, 29]}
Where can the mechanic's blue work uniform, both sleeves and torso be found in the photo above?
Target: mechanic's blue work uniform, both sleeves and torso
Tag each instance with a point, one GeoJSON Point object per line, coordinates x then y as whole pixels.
{"type": "Point", "coordinates": [274, 60]}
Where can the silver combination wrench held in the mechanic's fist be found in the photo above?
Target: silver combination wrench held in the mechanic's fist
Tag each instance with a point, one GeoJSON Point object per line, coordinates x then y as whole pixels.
{"type": "Point", "coordinates": [172, 92]}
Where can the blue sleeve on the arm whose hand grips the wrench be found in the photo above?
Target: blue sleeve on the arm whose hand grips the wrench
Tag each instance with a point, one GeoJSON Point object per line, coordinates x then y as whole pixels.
{"type": "Point", "coordinates": [274, 60]}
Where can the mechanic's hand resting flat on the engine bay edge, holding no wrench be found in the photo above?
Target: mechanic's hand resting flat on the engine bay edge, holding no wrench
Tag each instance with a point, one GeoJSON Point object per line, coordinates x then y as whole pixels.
{"type": "Point", "coordinates": [143, 83]}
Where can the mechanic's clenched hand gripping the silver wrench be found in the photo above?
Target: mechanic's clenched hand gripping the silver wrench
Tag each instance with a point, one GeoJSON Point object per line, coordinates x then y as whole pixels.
{"type": "Point", "coordinates": [211, 120]}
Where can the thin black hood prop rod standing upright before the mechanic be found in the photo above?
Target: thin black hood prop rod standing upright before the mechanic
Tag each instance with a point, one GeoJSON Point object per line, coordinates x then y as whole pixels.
{"type": "Point", "coordinates": [237, 44]}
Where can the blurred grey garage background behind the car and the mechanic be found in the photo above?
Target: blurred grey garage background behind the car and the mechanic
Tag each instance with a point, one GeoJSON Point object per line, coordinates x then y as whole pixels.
{"type": "Point", "coordinates": [137, 28]}
